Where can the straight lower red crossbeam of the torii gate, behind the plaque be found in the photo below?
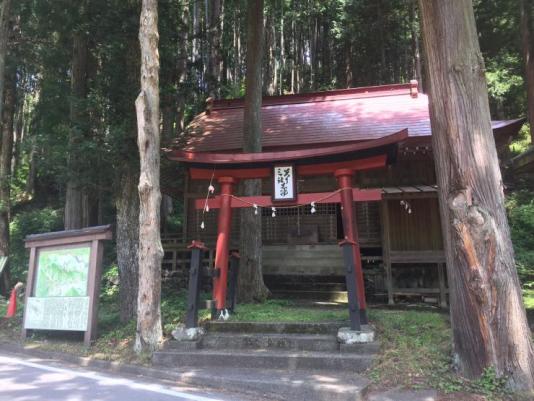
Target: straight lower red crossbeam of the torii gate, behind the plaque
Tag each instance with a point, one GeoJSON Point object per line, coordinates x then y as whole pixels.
{"type": "Point", "coordinates": [359, 195]}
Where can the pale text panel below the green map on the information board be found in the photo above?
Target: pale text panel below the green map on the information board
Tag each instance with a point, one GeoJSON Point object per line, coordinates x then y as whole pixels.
{"type": "Point", "coordinates": [57, 313]}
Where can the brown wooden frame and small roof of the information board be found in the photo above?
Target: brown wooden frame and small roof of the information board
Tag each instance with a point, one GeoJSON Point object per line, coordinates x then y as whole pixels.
{"type": "Point", "coordinates": [91, 237]}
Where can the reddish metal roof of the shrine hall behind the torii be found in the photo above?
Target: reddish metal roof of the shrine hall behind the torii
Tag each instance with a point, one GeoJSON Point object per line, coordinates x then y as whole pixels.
{"type": "Point", "coordinates": [318, 119]}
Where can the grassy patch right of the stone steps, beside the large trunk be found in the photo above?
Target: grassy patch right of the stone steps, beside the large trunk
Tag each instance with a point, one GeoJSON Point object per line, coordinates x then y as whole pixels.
{"type": "Point", "coordinates": [416, 352]}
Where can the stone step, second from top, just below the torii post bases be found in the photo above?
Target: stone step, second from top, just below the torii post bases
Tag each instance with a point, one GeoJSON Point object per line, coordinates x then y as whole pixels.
{"type": "Point", "coordinates": [296, 342]}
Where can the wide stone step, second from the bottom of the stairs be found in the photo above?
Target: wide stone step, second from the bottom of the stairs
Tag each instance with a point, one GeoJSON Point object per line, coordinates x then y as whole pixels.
{"type": "Point", "coordinates": [264, 359]}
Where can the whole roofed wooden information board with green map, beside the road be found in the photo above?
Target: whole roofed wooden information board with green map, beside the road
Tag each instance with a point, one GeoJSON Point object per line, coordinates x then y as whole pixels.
{"type": "Point", "coordinates": [63, 283]}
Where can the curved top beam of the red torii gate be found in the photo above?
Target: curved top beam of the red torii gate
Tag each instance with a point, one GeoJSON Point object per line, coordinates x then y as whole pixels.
{"type": "Point", "coordinates": [211, 158]}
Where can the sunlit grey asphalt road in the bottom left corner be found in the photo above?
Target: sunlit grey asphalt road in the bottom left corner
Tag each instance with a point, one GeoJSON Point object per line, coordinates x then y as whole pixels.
{"type": "Point", "coordinates": [23, 379]}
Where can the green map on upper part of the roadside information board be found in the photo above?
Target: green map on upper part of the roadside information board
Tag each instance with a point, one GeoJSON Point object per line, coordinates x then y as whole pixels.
{"type": "Point", "coordinates": [62, 272]}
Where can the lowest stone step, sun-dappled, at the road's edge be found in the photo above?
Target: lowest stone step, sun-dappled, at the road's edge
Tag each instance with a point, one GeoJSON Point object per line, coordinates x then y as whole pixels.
{"type": "Point", "coordinates": [278, 385]}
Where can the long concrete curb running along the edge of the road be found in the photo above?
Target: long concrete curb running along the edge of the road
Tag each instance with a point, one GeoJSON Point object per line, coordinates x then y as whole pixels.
{"type": "Point", "coordinates": [273, 389]}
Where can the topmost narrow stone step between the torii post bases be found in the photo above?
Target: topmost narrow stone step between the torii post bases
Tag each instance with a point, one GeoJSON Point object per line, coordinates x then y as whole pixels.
{"type": "Point", "coordinates": [275, 327]}
